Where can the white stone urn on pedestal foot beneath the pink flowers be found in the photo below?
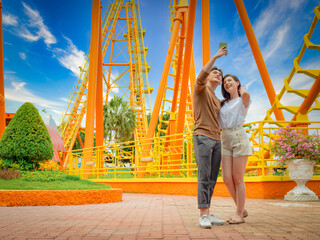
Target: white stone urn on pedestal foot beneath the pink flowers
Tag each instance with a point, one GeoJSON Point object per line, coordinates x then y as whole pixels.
{"type": "Point", "coordinates": [300, 171]}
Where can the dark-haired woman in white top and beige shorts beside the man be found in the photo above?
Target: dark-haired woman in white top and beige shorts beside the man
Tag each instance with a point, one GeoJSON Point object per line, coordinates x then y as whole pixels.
{"type": "Point", "coordinates": [235, 142]}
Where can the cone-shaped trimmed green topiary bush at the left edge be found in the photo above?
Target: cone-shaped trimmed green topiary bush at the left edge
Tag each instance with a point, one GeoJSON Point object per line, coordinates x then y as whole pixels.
{"type": "Point", "coordinates": [26, 140]}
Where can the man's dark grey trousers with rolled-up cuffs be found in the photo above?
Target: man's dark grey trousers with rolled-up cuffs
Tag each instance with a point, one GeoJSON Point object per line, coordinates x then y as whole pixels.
{"type": "Point", "coordinates": [207, 152]}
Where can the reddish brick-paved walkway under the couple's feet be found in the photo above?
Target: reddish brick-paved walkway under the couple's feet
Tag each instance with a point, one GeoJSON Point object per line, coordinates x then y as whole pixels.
{"type": "Point", "coordinates": [146, 216]}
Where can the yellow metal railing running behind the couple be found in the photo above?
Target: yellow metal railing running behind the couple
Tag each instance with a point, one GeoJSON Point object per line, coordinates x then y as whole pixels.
{"type": "Point", "coordinates": [172, 161]}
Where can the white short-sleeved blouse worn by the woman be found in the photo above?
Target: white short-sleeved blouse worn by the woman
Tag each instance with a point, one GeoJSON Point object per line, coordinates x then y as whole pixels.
{"type": "Point", "coordinates": [233, 114]}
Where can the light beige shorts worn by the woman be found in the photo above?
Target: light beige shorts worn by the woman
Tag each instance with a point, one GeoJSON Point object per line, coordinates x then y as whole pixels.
{"type": "Point", "coordinates": [235, 142]}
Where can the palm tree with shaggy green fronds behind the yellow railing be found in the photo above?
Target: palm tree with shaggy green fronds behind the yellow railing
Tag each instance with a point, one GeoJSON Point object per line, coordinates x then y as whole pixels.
{"type": "Point", "coordinates": [119, 120]}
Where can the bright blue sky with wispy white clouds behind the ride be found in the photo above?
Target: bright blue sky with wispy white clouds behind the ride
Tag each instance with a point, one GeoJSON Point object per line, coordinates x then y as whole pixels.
{"type": "Point", "coordinates": [45, 42]}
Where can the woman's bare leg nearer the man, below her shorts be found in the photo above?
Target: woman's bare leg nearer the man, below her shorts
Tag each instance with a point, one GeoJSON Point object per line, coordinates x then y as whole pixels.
{"type": "Point", "coordinates": [227, 172]}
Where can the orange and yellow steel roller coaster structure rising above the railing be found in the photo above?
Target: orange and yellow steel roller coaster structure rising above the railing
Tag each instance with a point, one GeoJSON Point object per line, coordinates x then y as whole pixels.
{"type": "Point", "coordinates": [117, 39]}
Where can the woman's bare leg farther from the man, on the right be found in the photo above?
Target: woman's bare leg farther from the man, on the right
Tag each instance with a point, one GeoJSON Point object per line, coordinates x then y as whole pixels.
{"type": "Point", "coordinates": [239, 167]}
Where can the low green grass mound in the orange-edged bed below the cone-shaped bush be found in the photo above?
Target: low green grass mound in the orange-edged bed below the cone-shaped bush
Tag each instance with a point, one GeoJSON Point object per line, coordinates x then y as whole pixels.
{"type": "Point", "coordinates": [49, 180]}
